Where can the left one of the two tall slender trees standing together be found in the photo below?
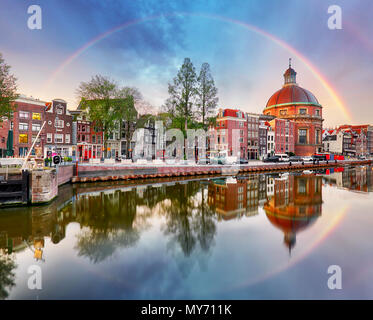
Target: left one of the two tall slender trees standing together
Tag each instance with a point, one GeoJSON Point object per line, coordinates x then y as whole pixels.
{"type": "Point", "coordinates": [183, 90]}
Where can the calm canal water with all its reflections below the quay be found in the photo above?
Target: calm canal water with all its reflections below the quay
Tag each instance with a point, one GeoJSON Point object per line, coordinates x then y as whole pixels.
{"type": "Point", "coordinates": [267, 236]}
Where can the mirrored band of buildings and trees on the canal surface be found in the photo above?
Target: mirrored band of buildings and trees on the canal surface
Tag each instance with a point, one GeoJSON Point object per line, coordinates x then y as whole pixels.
{"type": "Point", "coordinates": [113, 217]}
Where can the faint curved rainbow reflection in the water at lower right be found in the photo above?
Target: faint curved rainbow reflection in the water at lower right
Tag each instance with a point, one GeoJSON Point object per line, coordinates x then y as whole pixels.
{"type": "Point", "coordinates": [333, 224]}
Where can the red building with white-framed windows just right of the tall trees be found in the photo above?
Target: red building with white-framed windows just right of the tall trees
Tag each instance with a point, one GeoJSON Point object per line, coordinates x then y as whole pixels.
{"type": "Point", "coordinates": [231, 133]}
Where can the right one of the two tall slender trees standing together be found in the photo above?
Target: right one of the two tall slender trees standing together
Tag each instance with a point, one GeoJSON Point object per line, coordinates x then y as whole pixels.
{"type": "Point", "coordinates": [207, 99]}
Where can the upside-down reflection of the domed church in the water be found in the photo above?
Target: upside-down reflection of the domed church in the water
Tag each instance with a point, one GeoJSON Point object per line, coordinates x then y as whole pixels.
{"type": "Point", "coordinates": [296, 203]}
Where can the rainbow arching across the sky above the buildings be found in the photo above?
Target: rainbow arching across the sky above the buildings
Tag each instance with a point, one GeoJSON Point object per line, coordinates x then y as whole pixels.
{"type": "Point", "coordinates": [252, 28]}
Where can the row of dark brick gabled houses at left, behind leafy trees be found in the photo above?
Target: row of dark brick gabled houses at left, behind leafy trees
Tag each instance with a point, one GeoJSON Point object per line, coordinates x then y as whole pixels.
{"type": "Point", "coordinates": [67, 133]}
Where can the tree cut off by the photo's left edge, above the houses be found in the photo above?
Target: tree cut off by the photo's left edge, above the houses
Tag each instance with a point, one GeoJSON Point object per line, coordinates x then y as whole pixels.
{"type": "Point", "coordinates": [8, 89]}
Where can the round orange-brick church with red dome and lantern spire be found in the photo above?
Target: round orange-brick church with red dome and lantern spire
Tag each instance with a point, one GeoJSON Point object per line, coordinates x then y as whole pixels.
{"type": "Point", "coordinates": [294, 103]}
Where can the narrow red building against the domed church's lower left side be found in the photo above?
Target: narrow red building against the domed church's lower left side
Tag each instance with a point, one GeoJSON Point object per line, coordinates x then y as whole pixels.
{"type": "Point", "coordinates": [284, 132]}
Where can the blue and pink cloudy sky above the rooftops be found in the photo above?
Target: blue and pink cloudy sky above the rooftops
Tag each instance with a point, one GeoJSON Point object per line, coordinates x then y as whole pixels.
{"type": "Point", "coordinates": [247, 44]}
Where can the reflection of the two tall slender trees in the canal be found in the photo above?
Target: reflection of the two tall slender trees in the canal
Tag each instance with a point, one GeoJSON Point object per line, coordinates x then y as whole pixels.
{"type": "Point", "coordinates": [189, 223]}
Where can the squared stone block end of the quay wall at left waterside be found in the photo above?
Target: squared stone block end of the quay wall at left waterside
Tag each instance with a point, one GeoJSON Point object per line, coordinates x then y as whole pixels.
{"type": "Point", "coordinates": [44, 185]}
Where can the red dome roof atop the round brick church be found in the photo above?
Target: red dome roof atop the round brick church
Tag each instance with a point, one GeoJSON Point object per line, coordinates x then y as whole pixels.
{"type": "Point", "coordinates": [290, 94]}
